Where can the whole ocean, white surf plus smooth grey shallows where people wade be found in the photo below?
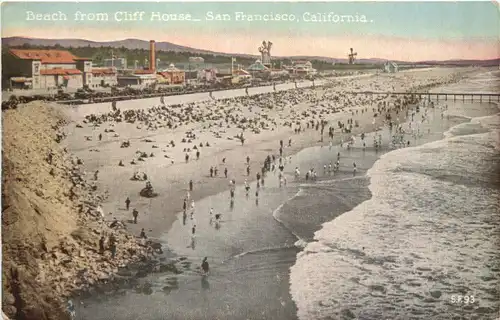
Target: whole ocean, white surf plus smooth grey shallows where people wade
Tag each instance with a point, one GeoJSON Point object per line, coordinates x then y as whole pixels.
{"type": "Point", "coordinates": [415, 229]}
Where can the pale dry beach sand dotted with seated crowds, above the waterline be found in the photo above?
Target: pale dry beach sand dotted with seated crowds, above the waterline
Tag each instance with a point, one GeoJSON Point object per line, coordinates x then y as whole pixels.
{"type": "Point", "coordinates": [170, 175]}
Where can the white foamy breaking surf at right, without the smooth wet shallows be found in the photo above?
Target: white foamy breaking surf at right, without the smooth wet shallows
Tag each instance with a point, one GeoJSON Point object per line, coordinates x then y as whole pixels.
{"type": "Point", "coordinates": [426, 244]}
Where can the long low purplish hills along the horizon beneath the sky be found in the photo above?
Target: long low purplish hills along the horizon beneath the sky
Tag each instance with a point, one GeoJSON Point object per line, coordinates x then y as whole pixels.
{"type": "Point", "coordinates": [168, 46]}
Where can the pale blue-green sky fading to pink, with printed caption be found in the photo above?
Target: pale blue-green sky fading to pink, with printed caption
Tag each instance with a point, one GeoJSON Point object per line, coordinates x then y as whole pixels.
{"type": "Point", "coordinates": [409, 31]}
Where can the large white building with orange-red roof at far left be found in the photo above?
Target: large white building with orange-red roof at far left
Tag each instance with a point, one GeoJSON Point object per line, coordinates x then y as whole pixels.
{"type": "Point", "coordinates": [45, 69]}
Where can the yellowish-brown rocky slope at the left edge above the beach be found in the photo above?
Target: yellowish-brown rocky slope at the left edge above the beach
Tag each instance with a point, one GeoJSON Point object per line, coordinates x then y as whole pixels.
{"type": "Point", "coordinates": [50, 219]}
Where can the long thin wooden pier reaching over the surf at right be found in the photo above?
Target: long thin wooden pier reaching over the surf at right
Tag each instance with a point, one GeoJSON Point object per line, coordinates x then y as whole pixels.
{"type": "Point", "coordinates": [460, 96]}
